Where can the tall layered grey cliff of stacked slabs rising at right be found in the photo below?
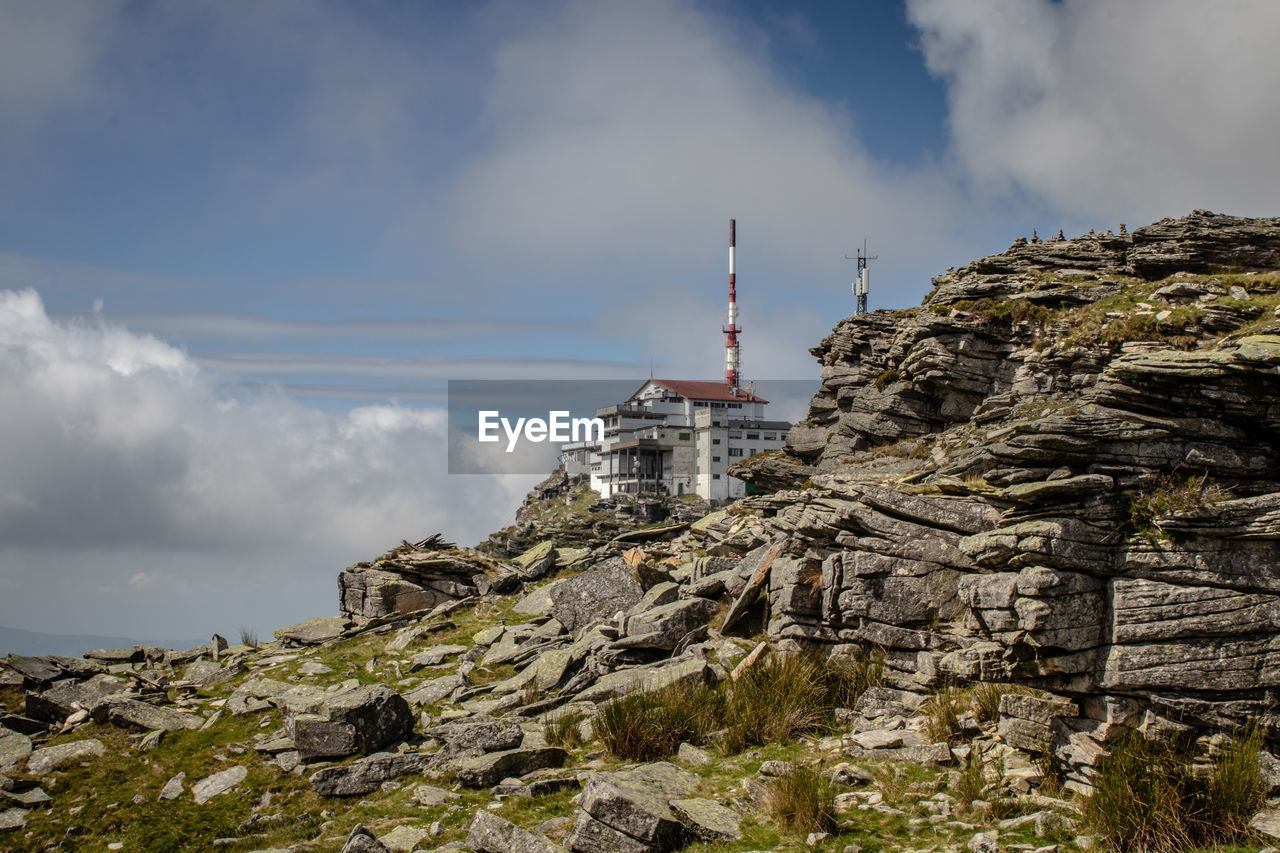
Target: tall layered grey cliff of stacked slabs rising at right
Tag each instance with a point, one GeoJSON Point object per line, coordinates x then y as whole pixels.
{"type": "Point", "coordinates": [1060, 471]}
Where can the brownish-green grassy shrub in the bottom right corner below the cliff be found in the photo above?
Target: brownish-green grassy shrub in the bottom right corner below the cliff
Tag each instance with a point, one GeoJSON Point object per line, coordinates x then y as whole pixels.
{"type": "Point", "coordinates": [1149, 797]}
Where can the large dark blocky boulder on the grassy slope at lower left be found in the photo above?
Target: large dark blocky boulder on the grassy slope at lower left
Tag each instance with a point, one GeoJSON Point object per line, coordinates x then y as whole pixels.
{"type": "Point", "coordinates": [360, 719]}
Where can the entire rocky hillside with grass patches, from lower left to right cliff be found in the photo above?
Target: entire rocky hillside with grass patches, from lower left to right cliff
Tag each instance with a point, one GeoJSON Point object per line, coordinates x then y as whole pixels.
{"type": "Point", "coordinates": [1025, 527]}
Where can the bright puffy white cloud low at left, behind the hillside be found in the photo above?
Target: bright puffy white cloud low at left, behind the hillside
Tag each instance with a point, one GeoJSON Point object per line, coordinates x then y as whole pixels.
{"type": "Point", "coordinates": [138, 500]}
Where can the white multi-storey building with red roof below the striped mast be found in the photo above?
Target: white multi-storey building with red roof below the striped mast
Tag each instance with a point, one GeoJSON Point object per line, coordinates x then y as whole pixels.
{"type": "Point", "coordinates": [676, 437]}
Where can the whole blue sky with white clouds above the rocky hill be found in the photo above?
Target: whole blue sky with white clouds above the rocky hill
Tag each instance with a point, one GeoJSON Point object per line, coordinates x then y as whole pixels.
{"type": "Point", "coordinates": [244, 247]}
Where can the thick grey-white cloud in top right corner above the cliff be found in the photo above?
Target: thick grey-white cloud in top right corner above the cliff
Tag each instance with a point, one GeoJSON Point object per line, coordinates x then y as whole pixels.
{"type": "Point", "coordinates": [1137, 110]}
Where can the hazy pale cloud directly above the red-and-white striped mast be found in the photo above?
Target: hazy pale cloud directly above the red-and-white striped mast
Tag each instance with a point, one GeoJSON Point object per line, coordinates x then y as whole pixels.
{"type": "Point", "coordinates": [632, 133]}
